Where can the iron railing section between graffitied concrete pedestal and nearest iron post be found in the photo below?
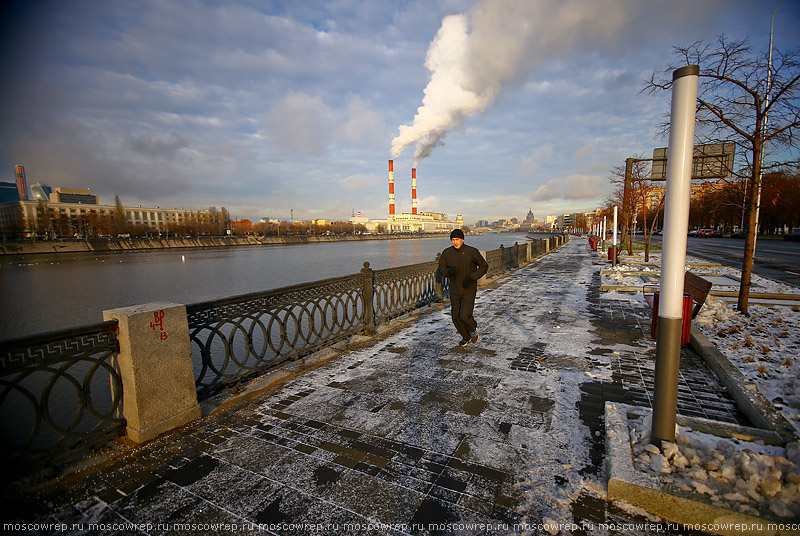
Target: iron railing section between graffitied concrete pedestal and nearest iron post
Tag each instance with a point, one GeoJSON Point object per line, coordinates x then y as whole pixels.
{"type": "Point", "coordinates": [238, 338]}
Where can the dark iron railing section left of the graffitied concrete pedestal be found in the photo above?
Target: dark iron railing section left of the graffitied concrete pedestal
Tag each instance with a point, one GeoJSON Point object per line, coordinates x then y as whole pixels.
{"type": "Point", "coordinates": [60, 395]}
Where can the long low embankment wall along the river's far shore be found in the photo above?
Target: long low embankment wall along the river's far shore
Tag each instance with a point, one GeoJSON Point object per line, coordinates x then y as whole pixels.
{"type": "Point", "coordinates": [147, 244]}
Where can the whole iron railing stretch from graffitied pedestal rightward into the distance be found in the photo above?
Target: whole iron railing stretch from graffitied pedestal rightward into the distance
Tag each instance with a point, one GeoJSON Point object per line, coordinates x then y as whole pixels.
{"type": "Point", "coordinates": [239, 338]}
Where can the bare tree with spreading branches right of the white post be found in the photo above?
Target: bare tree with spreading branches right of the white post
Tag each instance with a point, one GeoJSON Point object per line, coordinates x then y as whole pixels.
{"type": "Point", "coordinates": [739, 90]}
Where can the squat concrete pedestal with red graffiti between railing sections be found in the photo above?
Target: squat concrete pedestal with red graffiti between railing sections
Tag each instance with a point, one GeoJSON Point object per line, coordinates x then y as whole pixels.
{"type": "Point", "coordinates": [155, 364]}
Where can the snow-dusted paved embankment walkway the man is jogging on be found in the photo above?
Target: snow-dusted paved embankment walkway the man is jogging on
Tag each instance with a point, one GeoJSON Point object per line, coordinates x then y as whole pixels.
{"type": "Point", "coordinates": [413, 435]}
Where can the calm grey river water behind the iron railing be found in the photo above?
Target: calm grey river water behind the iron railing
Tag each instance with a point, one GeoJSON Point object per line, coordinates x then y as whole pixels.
{"type": "Point", "coordinates": [41, 293]}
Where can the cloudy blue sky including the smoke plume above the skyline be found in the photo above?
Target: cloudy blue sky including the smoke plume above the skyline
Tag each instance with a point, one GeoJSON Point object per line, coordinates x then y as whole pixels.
{"type": "Point", "coordinates": [276, 109]}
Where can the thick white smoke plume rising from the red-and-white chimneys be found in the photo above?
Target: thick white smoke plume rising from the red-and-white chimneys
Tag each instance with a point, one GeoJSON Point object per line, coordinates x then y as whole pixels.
{"type": "Point", "coordinates": [500, 42]}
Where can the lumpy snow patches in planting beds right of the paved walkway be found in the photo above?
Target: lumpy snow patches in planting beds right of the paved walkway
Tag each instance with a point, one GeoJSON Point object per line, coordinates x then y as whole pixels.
{"type": "Point", "coordinates": [748, 477]}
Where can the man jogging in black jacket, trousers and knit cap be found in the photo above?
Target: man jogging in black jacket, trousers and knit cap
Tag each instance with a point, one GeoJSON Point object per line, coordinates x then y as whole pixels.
{"type": "Point", "coordinates": [463, 265]}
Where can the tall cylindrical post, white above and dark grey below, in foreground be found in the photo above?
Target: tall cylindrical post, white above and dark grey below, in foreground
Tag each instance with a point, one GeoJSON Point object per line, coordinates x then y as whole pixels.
{"type": "Point", "coordinates": [673, 257]}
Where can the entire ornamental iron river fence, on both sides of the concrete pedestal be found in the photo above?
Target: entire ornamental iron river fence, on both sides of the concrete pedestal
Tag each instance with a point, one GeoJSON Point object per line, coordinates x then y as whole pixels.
{"type": "Point", "coordinates": [55, 401]}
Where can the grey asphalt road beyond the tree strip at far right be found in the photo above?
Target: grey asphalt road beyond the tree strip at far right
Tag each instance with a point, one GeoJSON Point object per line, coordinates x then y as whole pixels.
{"type": "Point", "coordinates": [775, 259]}
